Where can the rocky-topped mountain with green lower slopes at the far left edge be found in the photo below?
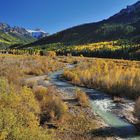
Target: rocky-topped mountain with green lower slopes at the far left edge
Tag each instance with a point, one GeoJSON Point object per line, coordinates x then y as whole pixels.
{"type": "Point", "coordinates": [13, 36]}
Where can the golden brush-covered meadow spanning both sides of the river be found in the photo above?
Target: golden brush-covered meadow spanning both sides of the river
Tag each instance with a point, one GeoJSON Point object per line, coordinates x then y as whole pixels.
{"type": "Point", "coordinates": [30, 110]}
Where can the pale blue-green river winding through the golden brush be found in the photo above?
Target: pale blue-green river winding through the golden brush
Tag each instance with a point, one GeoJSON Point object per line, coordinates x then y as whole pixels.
{"type": "Point", "coordinates": [104, 106]}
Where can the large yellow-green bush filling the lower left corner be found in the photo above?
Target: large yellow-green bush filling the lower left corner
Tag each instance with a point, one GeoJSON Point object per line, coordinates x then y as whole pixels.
{"type": "Point", "coordinates": [19, 114]}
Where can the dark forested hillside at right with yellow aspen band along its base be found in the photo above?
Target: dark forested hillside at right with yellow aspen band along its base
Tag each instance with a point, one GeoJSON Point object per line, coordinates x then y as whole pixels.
{"type": "Point", "coordinates": [116, 37]}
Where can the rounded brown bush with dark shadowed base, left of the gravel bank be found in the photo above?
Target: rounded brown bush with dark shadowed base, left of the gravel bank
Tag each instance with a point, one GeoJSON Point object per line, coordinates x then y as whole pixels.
{"type": "Point", "coordinates": [52, 106]}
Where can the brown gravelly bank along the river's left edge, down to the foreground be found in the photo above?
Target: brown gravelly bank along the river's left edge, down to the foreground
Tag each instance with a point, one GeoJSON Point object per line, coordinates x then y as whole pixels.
{"type": "Point", "coordinates": [81, 123]}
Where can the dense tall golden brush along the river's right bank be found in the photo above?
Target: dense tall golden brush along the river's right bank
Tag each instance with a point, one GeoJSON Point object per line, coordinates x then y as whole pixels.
{"type": "Point", "coordinates": [117, 77]}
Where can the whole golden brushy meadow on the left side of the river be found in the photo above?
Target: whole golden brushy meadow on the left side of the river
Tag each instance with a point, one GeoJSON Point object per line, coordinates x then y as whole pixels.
{"type": "Point", "coordinates": [30, 110]}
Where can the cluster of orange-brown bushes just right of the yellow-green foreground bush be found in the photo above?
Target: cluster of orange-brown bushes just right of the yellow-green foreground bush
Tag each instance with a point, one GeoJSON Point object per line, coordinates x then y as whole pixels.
{"type": "Point", "coordinates": [52, 106]}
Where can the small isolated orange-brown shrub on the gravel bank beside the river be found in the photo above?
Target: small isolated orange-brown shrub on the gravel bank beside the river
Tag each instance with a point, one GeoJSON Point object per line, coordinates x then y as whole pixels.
{"type": "Point", "coordinates": [82, 98]}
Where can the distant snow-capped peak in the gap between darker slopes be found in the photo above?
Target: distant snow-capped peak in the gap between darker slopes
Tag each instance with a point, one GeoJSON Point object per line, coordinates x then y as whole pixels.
{"type": "Point", "coordinates": [38, 33]}
